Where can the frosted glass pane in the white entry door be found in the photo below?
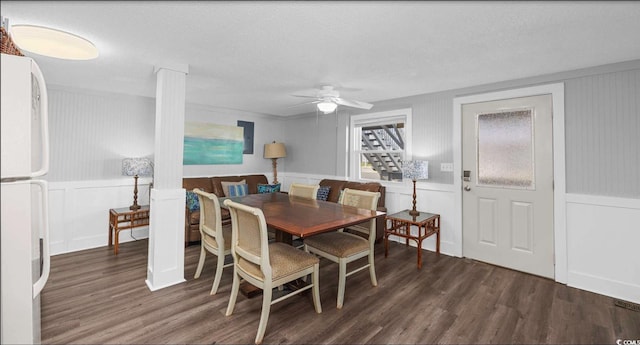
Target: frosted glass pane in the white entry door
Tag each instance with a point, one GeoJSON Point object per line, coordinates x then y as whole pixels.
{"type": "Point", "coordinates": [505, 149]}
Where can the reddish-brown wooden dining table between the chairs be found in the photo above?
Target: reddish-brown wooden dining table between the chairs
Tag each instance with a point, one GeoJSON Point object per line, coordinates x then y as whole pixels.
{"type": "Point", "coordinates": [295, 216]}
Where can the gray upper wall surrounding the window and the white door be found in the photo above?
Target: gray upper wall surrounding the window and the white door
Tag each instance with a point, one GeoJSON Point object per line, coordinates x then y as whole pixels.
{"type": "Point", "coordinates": [602, 126]}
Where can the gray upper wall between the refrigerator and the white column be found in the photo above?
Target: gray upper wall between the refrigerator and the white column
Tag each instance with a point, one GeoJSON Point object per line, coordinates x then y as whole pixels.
{"type": "Point", "coordinates": [90, 133]}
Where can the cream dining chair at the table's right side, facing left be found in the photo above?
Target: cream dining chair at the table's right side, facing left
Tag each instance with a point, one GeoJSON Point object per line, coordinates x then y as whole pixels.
{"type": "Point", "coordinates": [344, 247]}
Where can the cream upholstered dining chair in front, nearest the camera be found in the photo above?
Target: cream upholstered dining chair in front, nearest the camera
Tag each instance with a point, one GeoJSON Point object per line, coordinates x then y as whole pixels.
{"type": "Point", "coordinates": [266, 265]}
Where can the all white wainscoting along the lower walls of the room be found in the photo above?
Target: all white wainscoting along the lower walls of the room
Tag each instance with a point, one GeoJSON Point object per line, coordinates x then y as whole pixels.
{"type": "Point", "coordinates": [602, 232]}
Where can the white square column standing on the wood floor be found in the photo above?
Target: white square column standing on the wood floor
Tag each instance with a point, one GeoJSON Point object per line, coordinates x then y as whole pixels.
{"type": "Point", "coordinates": [166, 224]}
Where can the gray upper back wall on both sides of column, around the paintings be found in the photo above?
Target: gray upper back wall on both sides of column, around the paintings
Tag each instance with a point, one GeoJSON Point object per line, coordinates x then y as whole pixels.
{"type": "Point", "coordinates": [90, 133]}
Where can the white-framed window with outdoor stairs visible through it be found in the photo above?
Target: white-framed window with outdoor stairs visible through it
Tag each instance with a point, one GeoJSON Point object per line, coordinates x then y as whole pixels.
{"type": "Point", "coordinates": [379, 143]}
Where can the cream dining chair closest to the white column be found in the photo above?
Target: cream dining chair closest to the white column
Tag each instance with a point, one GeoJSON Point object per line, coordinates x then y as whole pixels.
{"type": "Point", "coordinates": [215, 238]}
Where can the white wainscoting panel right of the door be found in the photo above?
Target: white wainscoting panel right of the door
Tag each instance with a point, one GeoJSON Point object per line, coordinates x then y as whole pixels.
{"type": "Point", "coordinates": [603, 237]}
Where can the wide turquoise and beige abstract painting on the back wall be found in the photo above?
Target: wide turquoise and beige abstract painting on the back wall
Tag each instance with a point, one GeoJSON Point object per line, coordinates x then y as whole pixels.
{"type": "Point", "coordinates": [206, 143]}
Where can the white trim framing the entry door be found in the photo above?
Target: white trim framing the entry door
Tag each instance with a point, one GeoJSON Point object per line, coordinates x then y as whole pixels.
{"type": "Point", "coordinates": [559, 192]}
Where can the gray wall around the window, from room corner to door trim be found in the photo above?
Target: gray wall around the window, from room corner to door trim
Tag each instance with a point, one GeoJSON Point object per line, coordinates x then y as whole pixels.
{"type": "Point", "coordinates": [432, 130]}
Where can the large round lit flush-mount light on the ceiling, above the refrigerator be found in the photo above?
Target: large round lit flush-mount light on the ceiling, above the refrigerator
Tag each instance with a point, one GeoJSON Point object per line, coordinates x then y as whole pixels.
{"type": "Point", "coordinates": [53, 43]}
